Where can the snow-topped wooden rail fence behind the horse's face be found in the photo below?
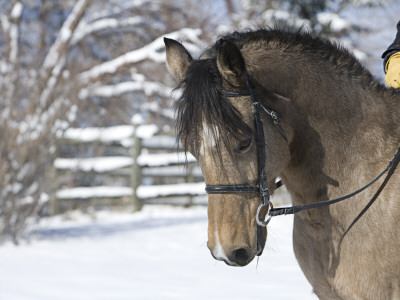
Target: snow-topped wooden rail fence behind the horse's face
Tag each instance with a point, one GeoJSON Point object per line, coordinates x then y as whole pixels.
{"type": "Point", "coordinates": [151, 169]}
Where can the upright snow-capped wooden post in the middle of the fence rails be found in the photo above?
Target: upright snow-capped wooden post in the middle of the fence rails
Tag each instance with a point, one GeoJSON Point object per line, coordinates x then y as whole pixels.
{"type": "Point", "coordinates": [136, 173]}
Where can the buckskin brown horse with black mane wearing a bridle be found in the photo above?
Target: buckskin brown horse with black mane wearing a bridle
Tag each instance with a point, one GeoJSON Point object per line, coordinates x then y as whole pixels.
{"type": "Point", "coordinates": [338, 128]}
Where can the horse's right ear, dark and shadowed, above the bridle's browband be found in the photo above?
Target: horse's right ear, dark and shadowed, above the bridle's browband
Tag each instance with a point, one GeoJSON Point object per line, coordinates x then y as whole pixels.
{"type": "Point", "coordinates": [230, 62]}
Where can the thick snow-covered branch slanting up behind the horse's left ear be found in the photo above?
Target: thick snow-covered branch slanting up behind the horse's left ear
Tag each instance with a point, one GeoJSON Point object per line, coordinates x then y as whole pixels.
{"type": "Point", "coordinates": [148, 52]}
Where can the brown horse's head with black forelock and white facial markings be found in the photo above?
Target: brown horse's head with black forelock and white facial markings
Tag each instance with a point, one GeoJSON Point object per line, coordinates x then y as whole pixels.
{"type": "Point", "coordinates": [220, 131]}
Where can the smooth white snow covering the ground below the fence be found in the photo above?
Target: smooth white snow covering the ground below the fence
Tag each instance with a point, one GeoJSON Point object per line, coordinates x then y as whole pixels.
{"type": "Point", "coordinates": [158, 253]}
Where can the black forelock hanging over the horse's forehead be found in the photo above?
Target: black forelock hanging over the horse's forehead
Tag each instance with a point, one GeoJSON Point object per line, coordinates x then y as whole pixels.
{"type": "Point", "coordinates": [203, 100]}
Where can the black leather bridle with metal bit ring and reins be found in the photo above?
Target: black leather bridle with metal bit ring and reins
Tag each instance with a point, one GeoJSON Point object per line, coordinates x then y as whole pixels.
{"type": "Point", "coordinates": [262, 188]}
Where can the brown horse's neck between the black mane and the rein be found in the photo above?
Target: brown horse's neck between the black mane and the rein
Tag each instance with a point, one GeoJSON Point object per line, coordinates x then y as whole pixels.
{"type": "Point", "coordinates": [344, 129]}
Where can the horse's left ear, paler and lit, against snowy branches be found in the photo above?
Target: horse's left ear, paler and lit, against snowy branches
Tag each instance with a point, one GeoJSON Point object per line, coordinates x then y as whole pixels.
{"type": "Point", "coordinates": [178, 58]}
